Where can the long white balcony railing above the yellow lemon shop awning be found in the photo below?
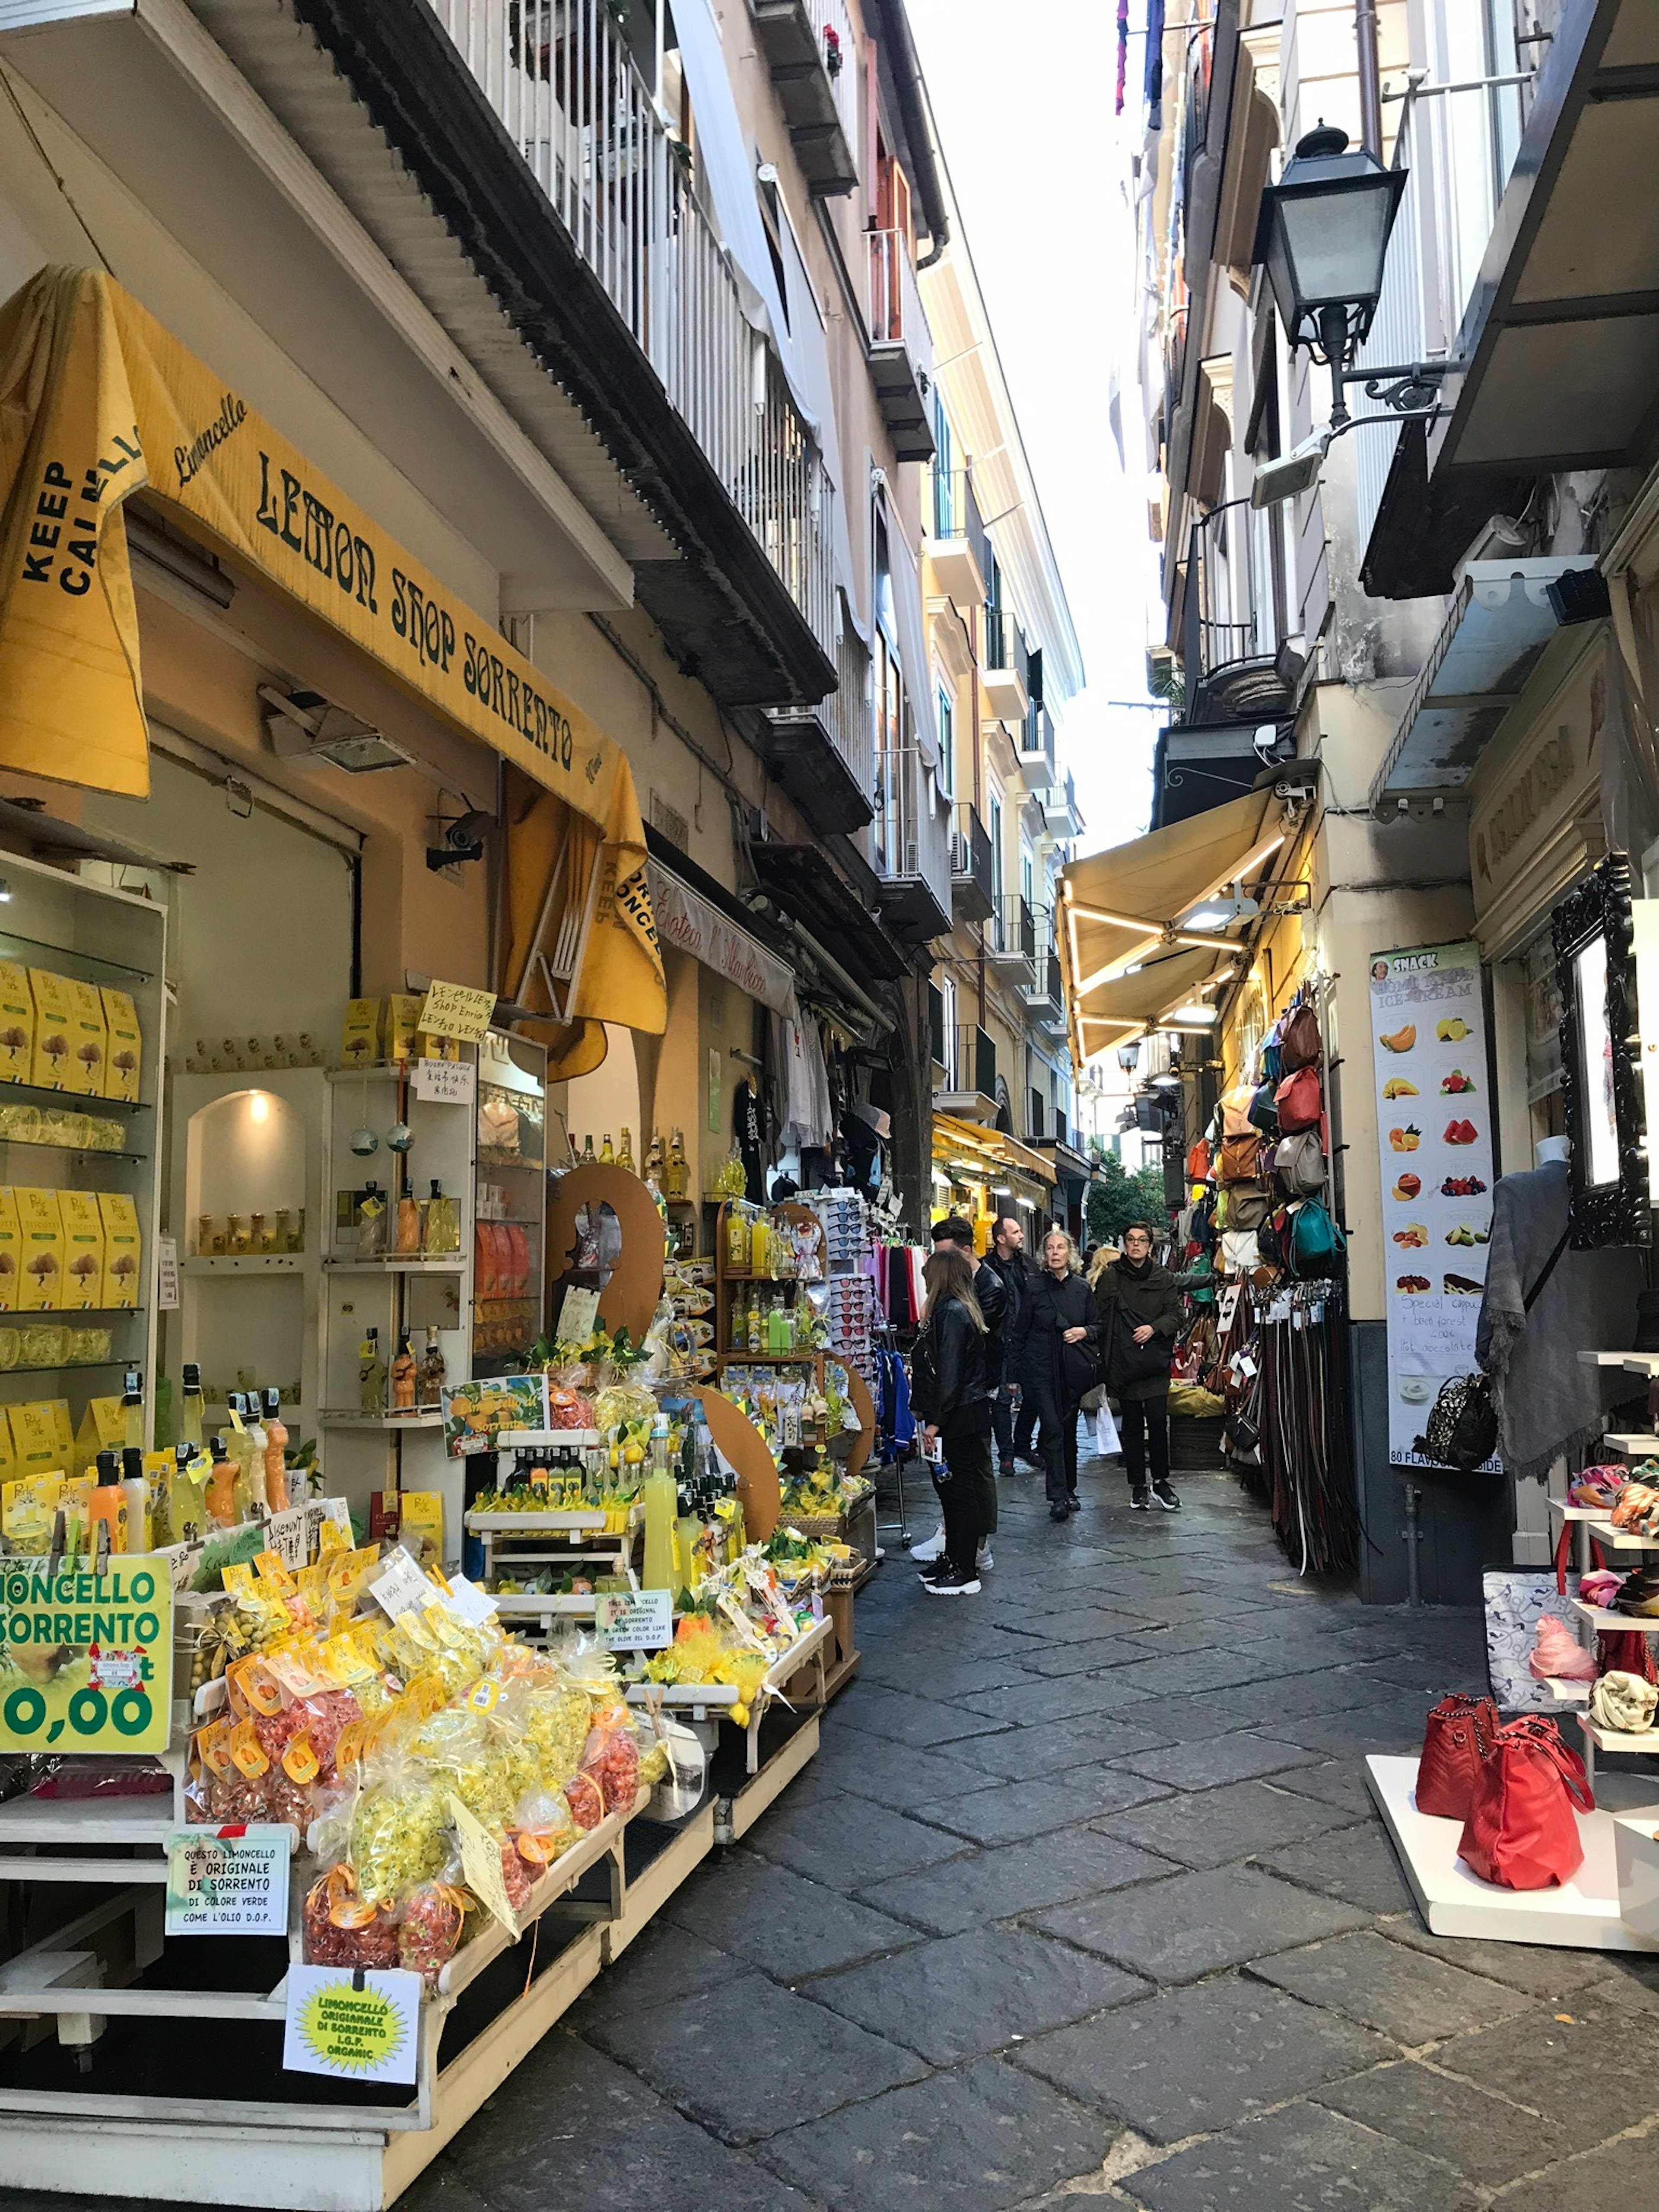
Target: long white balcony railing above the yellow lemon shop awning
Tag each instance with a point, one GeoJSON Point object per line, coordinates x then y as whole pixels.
{"type": "Point", "coordinates": [565, 85]}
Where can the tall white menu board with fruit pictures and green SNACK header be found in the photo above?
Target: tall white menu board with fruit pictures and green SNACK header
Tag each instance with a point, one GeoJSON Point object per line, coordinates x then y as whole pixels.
{"type": "Point", "coordinates": [1434, 1120]}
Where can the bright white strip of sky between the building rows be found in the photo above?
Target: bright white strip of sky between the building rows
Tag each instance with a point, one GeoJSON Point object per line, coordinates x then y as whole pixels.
{"type": "Point", "coordinates": [1041, 169]}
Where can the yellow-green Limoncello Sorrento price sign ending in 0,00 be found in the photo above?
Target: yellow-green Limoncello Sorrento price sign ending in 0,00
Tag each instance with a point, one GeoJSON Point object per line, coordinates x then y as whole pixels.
{"type": "Point", "coordinates": [85, 1658]}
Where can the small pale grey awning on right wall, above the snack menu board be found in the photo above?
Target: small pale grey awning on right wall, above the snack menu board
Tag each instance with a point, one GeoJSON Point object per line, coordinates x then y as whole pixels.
{"type": "Point", "coordinates": [1496, 629]}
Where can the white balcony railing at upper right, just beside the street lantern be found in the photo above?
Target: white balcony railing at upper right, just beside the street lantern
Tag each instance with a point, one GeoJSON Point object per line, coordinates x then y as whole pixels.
{"type": "Point", "coordinates": [1457, 149]}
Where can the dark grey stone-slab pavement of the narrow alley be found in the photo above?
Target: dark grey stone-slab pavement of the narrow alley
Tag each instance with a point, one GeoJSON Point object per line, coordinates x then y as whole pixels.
{"type": "Point", "coordinates": [1085, 1899]}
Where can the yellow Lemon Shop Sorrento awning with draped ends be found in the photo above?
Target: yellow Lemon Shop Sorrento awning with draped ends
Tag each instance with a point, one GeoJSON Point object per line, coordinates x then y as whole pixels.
{"type": "Point", "coordinates": [98, 401]}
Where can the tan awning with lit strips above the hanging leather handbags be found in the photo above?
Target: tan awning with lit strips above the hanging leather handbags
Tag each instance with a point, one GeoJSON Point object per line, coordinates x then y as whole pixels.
{"type": "Point", "coordinates": [1129, 950]}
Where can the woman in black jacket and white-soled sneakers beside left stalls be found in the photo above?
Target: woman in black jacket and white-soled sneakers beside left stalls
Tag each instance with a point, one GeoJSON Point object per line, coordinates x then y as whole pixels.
{"type": "Point", "coordinates": [950, 1395]}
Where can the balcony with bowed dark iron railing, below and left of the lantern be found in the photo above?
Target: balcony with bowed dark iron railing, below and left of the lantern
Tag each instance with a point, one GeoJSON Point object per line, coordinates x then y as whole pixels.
{"type": "Point", "coordinates": [1229, 618]}
